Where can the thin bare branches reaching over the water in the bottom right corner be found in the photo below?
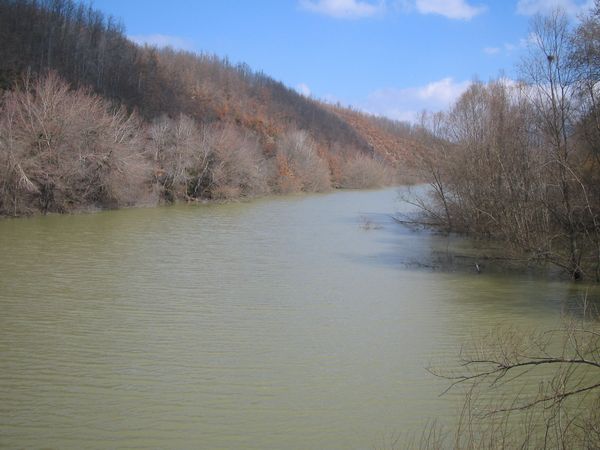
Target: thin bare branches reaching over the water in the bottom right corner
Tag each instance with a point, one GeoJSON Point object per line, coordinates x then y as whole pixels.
{"type": "Point", "coordinates": [531, 389]}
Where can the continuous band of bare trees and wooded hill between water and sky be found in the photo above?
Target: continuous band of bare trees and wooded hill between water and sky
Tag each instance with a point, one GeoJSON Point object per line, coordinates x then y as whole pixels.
{"type": "Point", "coordinates": [90, 120]}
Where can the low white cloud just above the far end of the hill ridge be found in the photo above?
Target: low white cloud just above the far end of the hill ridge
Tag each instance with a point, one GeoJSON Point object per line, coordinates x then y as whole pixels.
{"type": "Point", "coordinates": [407, 103]}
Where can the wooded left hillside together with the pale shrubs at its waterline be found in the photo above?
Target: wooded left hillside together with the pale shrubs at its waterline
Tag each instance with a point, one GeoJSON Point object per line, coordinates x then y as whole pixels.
{"type": "Point", "coordinates": [89, 118]}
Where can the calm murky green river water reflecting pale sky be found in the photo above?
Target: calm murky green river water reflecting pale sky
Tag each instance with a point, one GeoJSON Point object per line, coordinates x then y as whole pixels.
{"type": "Point", "coordinates": [280, 323]}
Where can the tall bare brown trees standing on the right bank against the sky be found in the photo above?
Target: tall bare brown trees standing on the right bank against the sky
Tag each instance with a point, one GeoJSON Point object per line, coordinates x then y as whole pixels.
{"type": "Point", "coordinates": [520, 161]}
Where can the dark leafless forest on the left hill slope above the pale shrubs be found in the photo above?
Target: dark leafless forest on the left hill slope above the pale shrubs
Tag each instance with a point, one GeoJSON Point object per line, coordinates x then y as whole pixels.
{"type": "Point", "coordinates": [90, 49]}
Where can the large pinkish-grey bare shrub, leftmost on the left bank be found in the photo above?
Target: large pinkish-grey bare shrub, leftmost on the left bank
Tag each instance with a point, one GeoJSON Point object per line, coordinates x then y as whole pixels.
{"type": "Point", "coordinates": [61, 149]}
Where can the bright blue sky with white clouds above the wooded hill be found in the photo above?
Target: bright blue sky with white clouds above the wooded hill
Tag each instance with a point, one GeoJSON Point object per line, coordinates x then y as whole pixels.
{"type": "Point", "coordinates": [387, 57]}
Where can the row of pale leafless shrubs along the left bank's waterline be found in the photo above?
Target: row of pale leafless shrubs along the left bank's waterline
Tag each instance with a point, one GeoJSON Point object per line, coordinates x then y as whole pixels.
{"type": "Point", "coordinates": [67, 150]}
